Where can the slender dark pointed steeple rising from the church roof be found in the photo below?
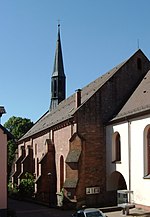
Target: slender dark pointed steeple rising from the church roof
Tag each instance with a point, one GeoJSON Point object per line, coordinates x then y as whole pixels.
{"type": "Point", "coordinates": [58, 79]}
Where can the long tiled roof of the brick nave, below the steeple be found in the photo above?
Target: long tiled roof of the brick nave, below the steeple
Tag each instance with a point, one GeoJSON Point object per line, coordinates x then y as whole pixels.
{"type": "Point", "coordinates": [66, 108]}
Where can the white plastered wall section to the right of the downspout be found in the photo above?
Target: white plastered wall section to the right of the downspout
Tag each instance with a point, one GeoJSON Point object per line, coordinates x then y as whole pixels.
{"type": "Point", "coordinates": [140, 185]}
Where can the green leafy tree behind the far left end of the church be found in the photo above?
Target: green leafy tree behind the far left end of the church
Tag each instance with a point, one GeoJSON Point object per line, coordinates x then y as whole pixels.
{"type": "Point", "coordinates": [17, 126]}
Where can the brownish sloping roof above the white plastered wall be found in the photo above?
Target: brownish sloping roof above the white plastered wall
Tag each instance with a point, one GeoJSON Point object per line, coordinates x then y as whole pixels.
{"type": "Point", "coordinates": [139, 100]}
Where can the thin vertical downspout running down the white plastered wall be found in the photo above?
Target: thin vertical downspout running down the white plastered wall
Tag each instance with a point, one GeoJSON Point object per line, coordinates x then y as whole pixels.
{"type": "Point", "coordinates": [129, 156]}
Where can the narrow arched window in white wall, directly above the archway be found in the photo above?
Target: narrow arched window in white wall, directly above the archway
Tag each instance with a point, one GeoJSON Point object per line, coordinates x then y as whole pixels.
{"type": "Point", "coordinates": [116, 147]}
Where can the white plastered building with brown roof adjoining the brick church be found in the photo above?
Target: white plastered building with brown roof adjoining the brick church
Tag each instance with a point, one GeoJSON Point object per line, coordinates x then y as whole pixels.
{"type": "Point", "coordinates": [128, 146]}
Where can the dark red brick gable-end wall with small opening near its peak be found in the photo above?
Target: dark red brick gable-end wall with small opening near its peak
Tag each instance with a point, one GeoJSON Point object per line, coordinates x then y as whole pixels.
{"type": "Point", "coordinates": [91, 119]}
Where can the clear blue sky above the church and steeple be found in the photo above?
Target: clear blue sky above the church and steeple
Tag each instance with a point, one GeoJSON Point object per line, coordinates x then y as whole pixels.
{"type": "Point", "coordinates": [96, 35]}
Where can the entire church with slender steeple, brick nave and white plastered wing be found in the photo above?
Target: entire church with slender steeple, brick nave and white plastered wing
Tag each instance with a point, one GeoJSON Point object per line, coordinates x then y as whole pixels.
{"type": "Point", "coordinates": [90, 145]}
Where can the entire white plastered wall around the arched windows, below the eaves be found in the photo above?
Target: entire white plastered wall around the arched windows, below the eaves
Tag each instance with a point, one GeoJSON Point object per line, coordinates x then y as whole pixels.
{"type": "Point", "coordinates": [139, 185]}
